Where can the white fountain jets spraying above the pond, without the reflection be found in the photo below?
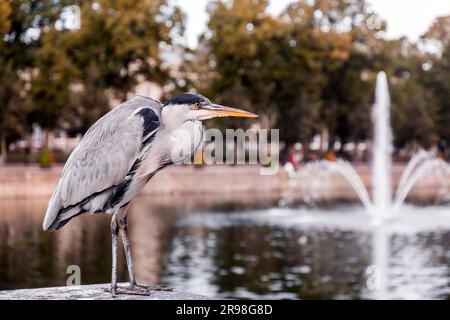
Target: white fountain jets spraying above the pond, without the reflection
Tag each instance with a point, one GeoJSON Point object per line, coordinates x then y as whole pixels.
{"type": "Point", "coordinates": [383, 205]}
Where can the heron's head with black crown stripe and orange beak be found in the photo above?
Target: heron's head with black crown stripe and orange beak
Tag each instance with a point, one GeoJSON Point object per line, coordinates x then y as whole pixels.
{"type": "Point", "coordinates": [192, 106]}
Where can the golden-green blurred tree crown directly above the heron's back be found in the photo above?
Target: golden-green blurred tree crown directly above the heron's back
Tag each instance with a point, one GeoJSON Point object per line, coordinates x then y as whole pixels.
{"type": "Point", "coordinates": [123, 40]}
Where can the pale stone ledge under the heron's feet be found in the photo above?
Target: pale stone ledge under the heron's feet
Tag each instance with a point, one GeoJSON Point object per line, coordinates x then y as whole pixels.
{"type": "Point", "coordinates": [91, 292]}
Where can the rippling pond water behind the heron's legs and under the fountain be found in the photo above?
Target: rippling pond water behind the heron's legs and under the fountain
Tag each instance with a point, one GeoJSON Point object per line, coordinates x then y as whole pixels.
{"type": "Point", "coordinates": [244, 247]}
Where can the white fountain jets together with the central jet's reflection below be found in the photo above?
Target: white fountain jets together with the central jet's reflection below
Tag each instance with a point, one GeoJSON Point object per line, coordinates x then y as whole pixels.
{"type": "Point", "coordinates": [383, 207]}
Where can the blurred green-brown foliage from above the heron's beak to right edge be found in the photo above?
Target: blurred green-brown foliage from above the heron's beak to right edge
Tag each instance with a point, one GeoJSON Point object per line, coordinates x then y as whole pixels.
{"type": "Point", "coordinates": [313, 68]}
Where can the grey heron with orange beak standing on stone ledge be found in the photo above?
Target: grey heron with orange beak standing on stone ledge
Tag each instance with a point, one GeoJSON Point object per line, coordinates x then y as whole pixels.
{"type": "Point", "coordinates": [119, 154]}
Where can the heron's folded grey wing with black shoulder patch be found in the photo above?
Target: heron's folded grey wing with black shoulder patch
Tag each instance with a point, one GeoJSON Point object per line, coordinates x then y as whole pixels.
{"type": "Point", "coordinates": [102, 159]}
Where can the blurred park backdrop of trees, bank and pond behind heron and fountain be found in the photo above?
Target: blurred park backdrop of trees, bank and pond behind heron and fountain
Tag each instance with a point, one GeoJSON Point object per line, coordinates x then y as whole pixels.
{"type": "Point", "coordinates": [306, 67]}
